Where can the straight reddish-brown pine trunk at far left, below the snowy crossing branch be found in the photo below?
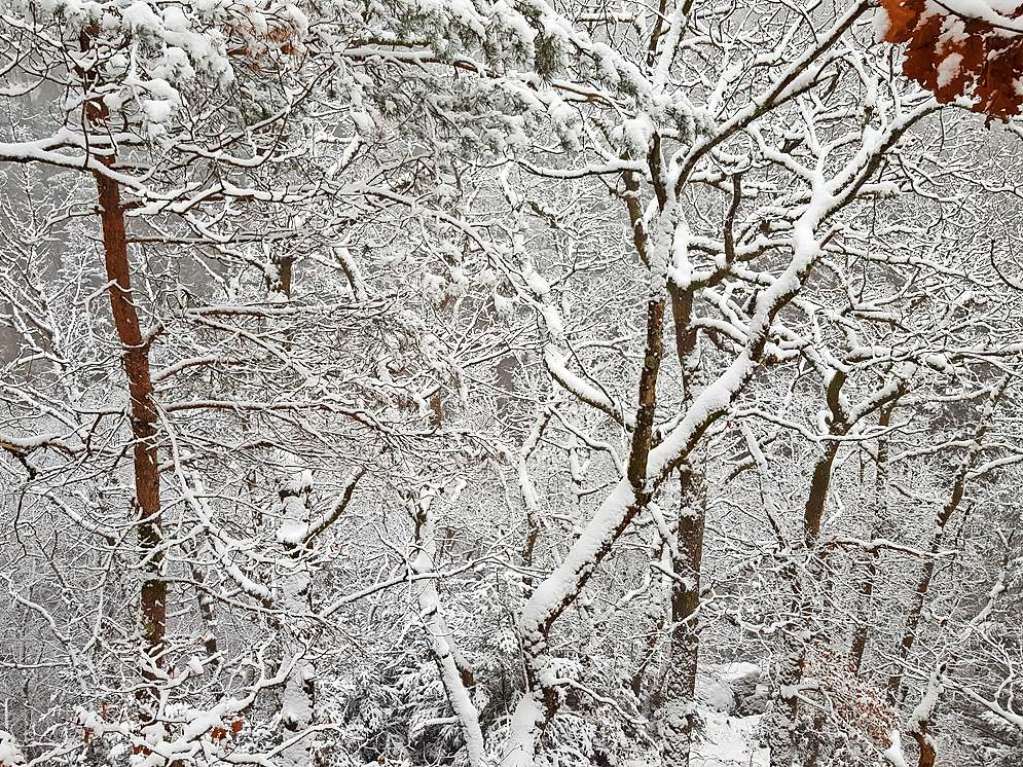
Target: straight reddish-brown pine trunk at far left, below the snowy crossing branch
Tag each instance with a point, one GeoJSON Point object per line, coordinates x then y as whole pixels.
{"type": "Point", "coordinates": [136, 355]}
